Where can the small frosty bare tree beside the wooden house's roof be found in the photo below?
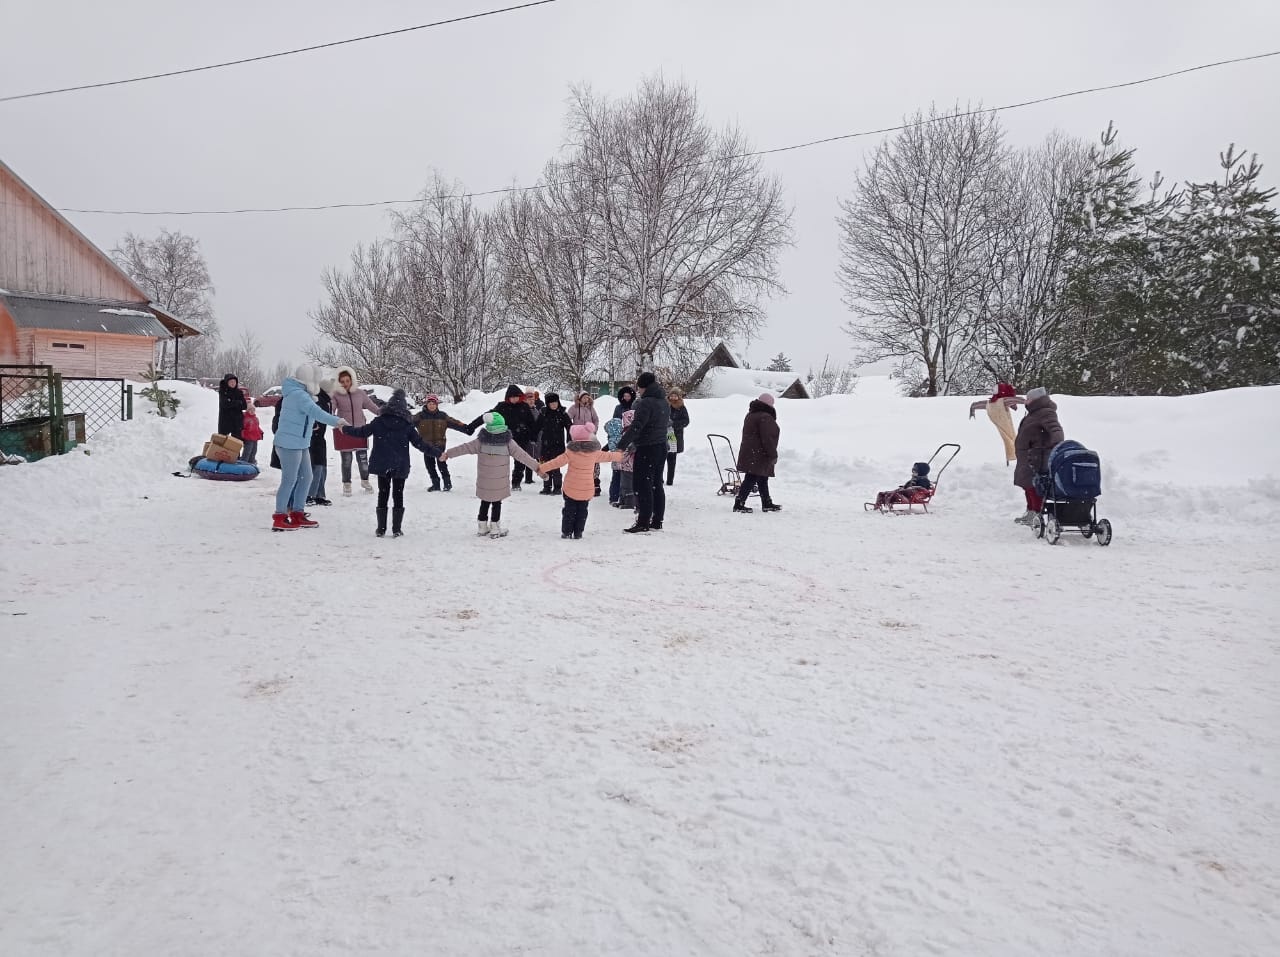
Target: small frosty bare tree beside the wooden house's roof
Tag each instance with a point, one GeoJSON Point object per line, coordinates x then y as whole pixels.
{"type": "Point", "coordinates": [172, 272]}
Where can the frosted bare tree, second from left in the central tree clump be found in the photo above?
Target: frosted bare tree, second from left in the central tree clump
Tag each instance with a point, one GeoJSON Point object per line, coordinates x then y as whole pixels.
{"type": "Point", "coordinates": [451, 312]}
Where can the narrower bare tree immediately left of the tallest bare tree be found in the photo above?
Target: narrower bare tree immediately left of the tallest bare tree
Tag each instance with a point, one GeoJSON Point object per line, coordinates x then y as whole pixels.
{"type": "Point", "coordinates": [556, 281]}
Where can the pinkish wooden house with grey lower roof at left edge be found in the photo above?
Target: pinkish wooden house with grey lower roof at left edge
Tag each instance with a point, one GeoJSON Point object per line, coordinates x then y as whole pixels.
{"type": "Point", "coordinates": [65, 303]}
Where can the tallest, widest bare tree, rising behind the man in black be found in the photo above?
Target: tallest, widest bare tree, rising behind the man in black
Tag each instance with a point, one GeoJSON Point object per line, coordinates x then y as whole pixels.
{"type": "Point", "coordinates": [691, 227]}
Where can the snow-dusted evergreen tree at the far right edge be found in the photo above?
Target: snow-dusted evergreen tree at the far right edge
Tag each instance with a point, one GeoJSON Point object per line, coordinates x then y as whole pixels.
{"type": "Point", "coordinates": [1223, 282]}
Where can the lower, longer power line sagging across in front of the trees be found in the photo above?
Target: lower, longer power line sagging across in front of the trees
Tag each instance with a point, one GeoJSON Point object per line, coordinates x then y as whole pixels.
{"type": "Point", "coordinates": [807, 145]}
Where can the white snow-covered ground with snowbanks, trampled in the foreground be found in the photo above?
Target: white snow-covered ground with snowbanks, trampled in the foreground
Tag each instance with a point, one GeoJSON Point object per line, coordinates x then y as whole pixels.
{"type": "Point", "coordinates": [816, 732]}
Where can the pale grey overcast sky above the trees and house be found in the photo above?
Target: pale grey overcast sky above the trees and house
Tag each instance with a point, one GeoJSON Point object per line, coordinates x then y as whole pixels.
{"type": "Point", "coordinates": [484, 104]}
